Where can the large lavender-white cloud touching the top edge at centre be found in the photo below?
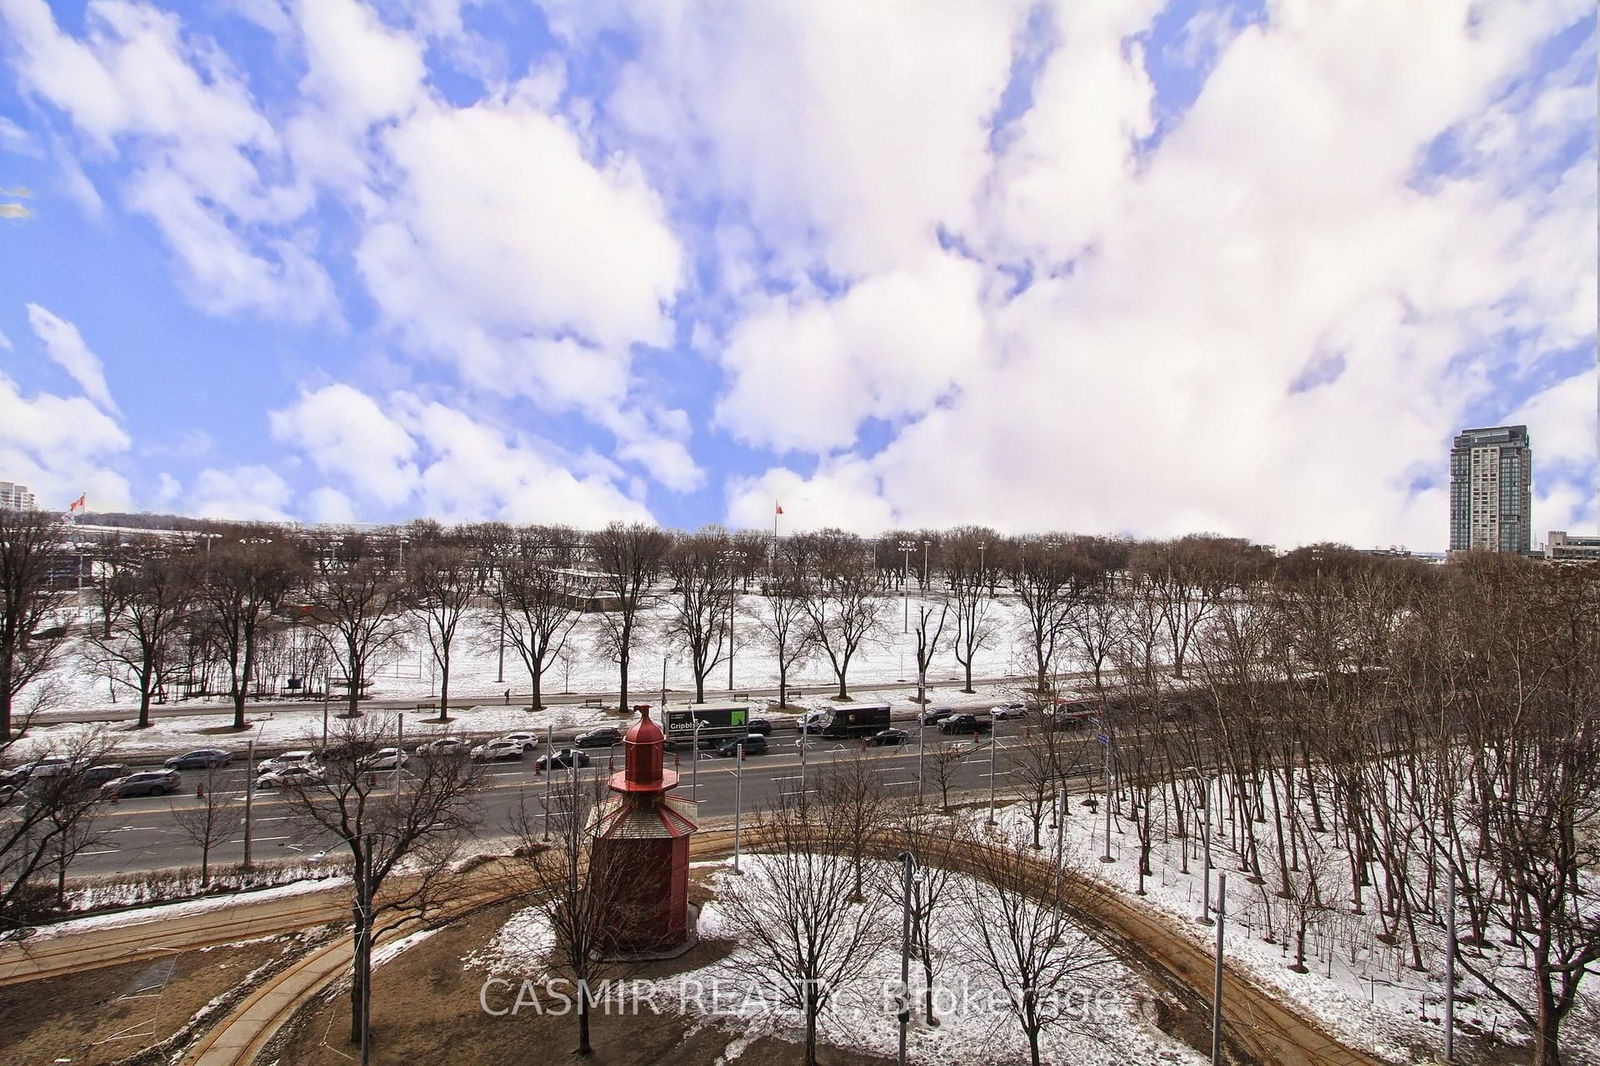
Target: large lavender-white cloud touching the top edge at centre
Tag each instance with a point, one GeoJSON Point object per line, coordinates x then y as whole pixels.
{"type": "Point", "coordinates": [849, 134]}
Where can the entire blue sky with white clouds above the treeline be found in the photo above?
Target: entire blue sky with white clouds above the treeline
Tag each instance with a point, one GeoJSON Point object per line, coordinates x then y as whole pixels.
{"type": "Point", "coordinates": [1134, 266]}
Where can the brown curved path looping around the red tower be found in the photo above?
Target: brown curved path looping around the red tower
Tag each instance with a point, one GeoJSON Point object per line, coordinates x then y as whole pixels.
{"type": "Point", "coordinates": [1258, 1024]}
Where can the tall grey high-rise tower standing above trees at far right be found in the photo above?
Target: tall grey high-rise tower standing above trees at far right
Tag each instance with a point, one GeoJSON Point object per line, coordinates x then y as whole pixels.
{"type": "Point", "coordinates": [1492, 491]}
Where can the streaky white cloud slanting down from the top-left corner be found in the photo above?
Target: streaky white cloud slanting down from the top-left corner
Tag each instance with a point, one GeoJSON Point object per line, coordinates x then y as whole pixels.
{"type": "Point", "coordinates": [201, 154]}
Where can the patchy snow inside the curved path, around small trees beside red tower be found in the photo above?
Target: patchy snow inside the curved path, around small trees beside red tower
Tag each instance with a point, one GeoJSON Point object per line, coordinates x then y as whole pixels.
{"type": "Point", "coordinates": [1111, 1028]}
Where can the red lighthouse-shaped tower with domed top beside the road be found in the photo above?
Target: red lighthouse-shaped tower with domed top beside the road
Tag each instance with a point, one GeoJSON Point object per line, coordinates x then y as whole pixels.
{"type": "Point", "coordinates": [642, 849]}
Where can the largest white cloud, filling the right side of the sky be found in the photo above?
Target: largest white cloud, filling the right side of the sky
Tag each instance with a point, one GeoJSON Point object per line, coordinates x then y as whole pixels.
{"type": "Point", "coordinates": [1278, 226]}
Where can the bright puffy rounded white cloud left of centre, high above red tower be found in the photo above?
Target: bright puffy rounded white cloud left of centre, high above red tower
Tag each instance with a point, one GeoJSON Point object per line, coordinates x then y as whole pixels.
{"type": "Point", "coordinates": [505, 223]}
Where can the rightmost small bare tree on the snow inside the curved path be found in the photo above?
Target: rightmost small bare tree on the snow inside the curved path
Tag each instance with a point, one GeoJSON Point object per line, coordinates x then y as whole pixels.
{"type": "Point", "coordinates": [1017, 928]}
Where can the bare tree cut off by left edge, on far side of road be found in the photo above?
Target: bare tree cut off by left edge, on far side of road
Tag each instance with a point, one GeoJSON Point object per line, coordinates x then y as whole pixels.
{"type": "Point", "coordinates": [33, 620]}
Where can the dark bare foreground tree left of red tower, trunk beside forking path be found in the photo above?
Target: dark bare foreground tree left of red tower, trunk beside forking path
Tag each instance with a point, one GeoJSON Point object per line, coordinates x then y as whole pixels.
{"type": "Point", "coordinates": [402, 840]}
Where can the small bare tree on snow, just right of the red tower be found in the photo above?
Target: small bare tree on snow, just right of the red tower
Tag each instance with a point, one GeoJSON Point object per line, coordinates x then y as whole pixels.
{"type": "Point", "coordinates": [804, 936]}
